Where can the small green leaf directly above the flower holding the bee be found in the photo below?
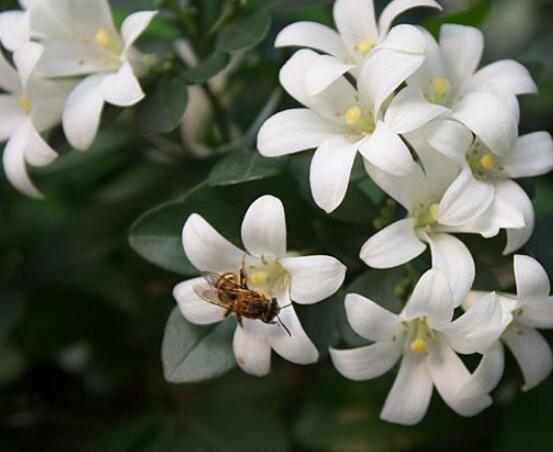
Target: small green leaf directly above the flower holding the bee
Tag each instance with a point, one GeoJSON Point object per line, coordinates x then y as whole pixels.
{"type": "Point", "coordinates": [245, 166]}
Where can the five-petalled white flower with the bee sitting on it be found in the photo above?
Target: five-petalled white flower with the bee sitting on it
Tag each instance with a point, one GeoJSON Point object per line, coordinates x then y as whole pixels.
{"type": "Point", "coordinates": [304, 279]}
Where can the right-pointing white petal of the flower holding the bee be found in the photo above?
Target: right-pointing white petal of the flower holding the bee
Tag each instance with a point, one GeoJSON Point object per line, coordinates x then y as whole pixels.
{"type": "Point", "coordinates": [313, 278]}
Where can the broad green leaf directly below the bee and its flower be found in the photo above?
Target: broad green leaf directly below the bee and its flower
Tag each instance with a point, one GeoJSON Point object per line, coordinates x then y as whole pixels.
{"type": "Point", "coordinates": [192, 353]}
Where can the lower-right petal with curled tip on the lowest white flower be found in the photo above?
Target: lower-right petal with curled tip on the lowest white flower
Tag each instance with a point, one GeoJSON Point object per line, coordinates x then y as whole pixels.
{"type": "Point", "coordinates": [450, 375]}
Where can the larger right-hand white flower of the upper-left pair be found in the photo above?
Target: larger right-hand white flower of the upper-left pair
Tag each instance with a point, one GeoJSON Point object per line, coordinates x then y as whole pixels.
{"type": "Point", "coordinates": [79, 39]}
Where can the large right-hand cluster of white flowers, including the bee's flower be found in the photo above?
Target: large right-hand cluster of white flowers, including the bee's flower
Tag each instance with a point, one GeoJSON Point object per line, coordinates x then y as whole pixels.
{"type": "Point", "coordinates": [438, 135]}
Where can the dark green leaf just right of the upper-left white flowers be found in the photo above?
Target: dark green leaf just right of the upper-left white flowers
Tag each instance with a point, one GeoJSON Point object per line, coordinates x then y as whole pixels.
{"type": "Point", "coordinates": [164, 106]}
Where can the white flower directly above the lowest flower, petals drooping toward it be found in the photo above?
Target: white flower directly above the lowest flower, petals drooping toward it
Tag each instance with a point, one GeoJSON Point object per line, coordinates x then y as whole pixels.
{"type": "Point", "coordinates": [439, 201]}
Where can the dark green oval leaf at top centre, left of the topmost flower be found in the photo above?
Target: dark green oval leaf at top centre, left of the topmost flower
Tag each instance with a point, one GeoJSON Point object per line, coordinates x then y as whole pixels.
{"type": "Point", "coordinates": [244, 33]}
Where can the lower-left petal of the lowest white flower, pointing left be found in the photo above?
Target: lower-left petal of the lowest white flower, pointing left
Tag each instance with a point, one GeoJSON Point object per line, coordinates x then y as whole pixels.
{"type": "Point", "coordinates": [366, 362]}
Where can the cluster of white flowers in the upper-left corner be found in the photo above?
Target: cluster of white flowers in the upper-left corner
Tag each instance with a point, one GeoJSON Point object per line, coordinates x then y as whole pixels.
{"type": "Point", "coordinates": [68, 62]}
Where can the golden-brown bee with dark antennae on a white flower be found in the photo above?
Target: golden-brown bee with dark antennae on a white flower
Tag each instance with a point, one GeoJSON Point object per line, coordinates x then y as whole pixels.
{"type": "Point", "coordinates": [231, 292]}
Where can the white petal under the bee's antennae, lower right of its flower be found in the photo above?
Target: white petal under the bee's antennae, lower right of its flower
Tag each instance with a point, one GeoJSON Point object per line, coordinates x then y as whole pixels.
{"type": "Point", "coordinates": [296, 346]}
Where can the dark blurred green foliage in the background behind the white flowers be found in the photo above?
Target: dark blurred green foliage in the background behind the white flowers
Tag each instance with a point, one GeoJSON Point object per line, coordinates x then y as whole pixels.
{"type": "Point", "coordinates": [82, 314]}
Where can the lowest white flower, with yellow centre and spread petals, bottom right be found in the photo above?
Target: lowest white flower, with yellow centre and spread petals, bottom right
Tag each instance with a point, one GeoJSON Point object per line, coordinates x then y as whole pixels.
{"type": "Point", "coordinates": [425, 338]}
